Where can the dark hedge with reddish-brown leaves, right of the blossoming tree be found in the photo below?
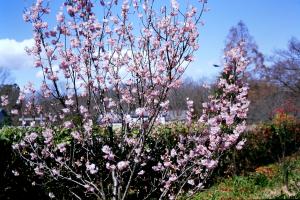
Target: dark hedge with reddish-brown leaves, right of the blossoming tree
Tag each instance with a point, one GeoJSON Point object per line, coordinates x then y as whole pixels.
{"type": "Point", "coordinates": [265, 143]}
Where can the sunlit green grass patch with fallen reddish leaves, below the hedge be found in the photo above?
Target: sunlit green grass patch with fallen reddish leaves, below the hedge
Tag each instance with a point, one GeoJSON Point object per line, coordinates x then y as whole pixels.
{"type": "Point", "coordinates": [265, 183]}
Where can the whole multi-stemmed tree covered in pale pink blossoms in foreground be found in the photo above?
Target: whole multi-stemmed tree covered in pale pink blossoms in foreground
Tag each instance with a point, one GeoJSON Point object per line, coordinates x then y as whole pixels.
{"type": "Point", "coordinates": [125, 63]}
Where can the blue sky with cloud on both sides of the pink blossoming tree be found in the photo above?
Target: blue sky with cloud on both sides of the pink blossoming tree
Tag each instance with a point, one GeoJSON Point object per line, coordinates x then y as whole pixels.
{"type": "Point", "coordinates": [271, 22]}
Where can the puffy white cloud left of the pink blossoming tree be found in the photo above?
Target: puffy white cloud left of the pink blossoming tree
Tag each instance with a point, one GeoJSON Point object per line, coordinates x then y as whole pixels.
{"type": "Point", "coordinates": [13, 55]}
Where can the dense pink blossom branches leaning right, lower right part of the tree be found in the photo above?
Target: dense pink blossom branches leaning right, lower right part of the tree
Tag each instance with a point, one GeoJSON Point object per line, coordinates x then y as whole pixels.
{"type": "Point", "coordinates": [192, 160]}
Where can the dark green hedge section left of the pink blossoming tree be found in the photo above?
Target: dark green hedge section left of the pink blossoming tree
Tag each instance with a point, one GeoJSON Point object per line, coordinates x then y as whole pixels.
{"type": "Point", "coordinates": [16, 177]}
